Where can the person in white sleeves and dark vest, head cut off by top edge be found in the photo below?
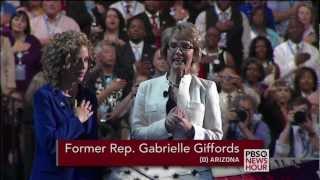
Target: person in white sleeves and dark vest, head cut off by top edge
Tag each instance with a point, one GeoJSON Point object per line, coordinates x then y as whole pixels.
{"type": "Point", "coordinates": [233, 25]}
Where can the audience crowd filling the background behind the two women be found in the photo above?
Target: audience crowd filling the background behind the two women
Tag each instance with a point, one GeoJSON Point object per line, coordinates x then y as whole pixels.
{"type": "Point", "coordinates": [263, 55]}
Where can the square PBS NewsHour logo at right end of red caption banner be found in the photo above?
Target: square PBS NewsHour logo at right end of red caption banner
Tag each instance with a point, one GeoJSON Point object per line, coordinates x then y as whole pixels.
{"type": "Point", "coordinates": [256, 160]}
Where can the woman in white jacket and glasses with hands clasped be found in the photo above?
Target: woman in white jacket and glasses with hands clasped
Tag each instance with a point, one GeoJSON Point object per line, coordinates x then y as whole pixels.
{"type": "Point", "coordinates": [178, 105]}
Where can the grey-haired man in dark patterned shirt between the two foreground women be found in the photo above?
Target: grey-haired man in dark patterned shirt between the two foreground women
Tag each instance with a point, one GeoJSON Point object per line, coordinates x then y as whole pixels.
{"type": "Point", "coordinates": [111, 84]}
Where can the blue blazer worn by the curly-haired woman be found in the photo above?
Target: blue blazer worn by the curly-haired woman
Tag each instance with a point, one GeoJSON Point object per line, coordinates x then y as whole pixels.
{"type": "Point", "coordinates": [54, 119]}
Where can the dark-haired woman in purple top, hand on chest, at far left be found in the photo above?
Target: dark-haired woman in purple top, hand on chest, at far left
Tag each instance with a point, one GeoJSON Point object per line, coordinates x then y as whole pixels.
{"type": "Point", "coordinates": [27, 51]}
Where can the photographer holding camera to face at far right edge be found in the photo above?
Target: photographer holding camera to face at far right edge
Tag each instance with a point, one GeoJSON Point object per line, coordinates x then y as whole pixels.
{"type": "Point", "coordinates": [300, 138]}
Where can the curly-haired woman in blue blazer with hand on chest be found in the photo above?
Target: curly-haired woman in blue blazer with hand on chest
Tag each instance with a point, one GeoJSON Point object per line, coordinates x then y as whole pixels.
{"type": "Point", "coordinates": [63, 109]}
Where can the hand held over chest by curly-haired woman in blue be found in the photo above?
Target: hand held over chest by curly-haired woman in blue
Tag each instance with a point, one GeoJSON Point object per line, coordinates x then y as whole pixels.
{"type": "Point", "coordinates": [83, 112]}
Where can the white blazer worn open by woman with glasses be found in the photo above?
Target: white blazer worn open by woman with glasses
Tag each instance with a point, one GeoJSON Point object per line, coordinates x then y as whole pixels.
{"type": "Point", "coordinates": [198, 97]}
